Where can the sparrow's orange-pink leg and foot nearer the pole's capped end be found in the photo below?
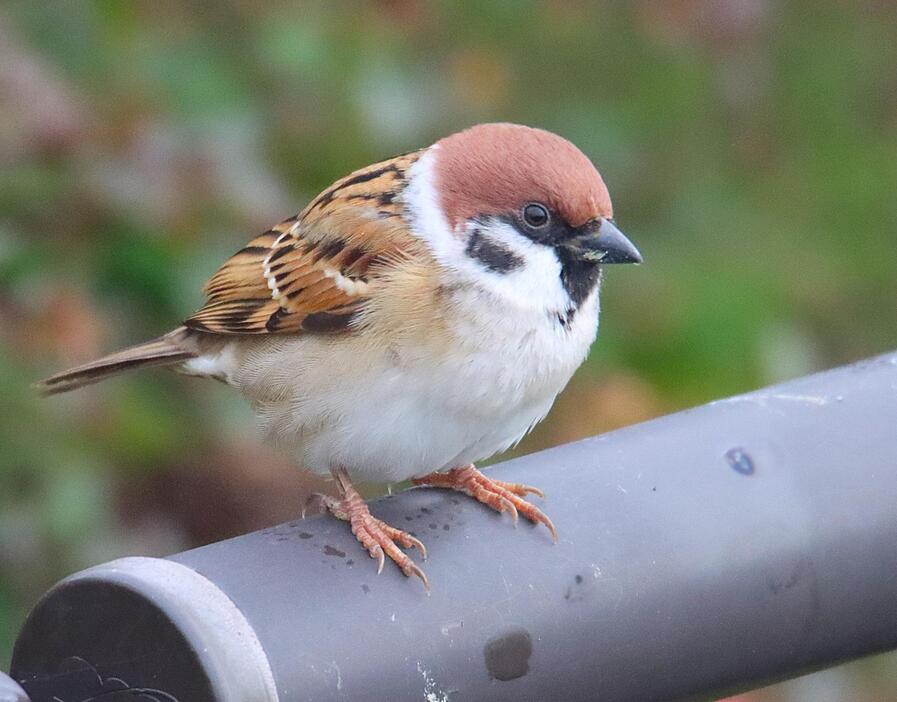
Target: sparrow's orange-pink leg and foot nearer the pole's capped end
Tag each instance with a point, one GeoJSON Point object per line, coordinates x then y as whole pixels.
{"type": "Point", "coordinates": [374, 534]}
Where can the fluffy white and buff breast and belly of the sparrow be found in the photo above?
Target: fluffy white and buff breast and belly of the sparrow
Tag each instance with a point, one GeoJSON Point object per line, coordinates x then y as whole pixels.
{"type": "Point", "coordinates": [392, 413]}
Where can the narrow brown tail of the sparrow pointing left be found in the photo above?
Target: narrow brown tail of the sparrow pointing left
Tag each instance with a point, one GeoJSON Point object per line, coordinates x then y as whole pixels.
{"type": "Point", "coordinates": [164, 351]}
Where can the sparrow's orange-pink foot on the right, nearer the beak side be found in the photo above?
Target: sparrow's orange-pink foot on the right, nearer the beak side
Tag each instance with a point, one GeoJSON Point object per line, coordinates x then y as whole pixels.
{"type": "Point", "coordinates": [497, 494]}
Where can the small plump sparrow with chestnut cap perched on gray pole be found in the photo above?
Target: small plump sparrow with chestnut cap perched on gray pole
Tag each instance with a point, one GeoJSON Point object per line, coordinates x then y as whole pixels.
{"type": "Point", "coordinates": [418, 316]}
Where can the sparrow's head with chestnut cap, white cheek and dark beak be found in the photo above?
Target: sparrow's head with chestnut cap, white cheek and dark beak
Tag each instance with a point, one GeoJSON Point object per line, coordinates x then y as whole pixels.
{"type": "Point", "coordinates": [505, 200]}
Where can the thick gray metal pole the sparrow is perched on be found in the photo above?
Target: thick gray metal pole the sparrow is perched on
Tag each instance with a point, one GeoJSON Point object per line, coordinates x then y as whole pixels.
{"type": "Point", "coordinates": [721, 548]}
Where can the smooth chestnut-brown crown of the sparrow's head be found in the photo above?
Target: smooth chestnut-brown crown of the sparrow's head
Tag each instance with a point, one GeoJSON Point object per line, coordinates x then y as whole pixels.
{"type": "Point", "coordinates": [496, 169]}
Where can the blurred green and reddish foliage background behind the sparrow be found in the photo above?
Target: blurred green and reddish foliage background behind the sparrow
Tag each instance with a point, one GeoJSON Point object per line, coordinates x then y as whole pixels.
{"type": "Point", "coordinates": [750, 147]}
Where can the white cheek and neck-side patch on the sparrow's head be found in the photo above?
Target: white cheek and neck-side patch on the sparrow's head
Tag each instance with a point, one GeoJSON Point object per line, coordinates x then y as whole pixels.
{"type": "Point", "coordinates": [532, 277]}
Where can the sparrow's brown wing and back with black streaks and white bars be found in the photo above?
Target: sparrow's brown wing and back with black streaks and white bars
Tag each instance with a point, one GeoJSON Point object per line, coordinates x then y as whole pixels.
{"type": "Point", "coordinates": [313, 272]}
